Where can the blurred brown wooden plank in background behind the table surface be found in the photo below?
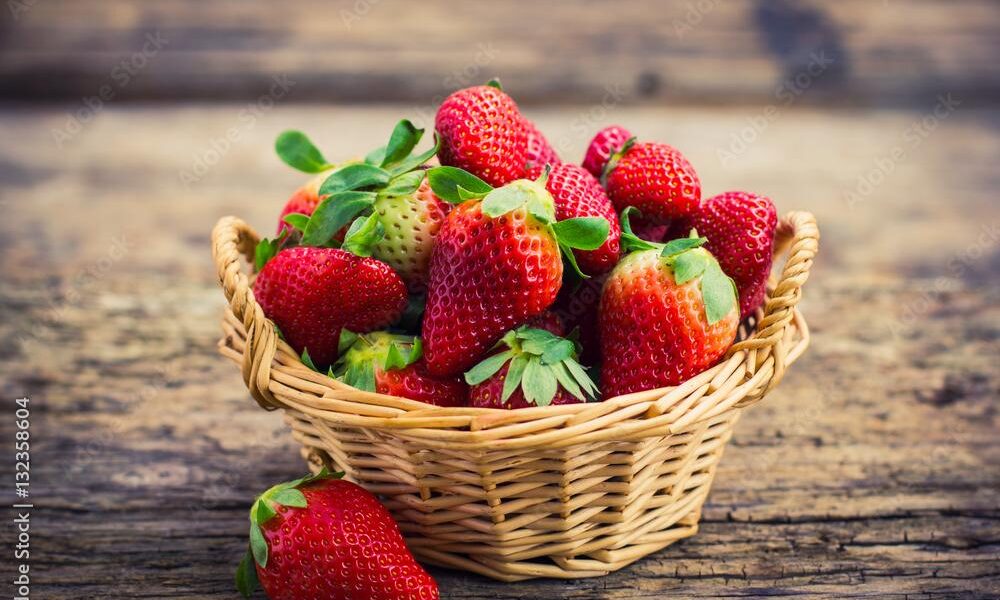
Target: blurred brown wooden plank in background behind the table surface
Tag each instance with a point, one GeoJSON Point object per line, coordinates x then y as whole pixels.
{"type": "Point", "coordinates": [710, 50]}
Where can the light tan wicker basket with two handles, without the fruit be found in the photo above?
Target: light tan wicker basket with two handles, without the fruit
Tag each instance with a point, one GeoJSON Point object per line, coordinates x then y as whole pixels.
{"type": "Point", "coordinates": [560, 491]}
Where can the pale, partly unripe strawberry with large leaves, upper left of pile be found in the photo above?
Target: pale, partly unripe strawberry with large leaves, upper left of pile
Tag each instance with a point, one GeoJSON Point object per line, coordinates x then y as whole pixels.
{"type": "Point", "coordinates": [389, 184]}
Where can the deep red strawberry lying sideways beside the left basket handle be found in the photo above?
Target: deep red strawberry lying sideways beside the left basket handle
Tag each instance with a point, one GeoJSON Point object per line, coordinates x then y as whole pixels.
{"type": "Point", "coordinates": [312, 293]}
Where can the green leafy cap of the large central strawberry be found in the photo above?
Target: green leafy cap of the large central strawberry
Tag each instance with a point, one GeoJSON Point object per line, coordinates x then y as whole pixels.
{"type": "Point", "coordinates": [456, 186]}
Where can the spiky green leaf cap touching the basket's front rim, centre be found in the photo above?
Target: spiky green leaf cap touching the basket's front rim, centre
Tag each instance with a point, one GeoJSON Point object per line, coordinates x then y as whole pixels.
{"type": "Point", "coordinates": [540, 363]}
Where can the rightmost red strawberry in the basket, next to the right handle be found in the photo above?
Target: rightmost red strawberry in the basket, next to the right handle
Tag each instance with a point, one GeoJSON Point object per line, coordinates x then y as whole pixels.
{"type": "Point", "coordinates": [740, 231]}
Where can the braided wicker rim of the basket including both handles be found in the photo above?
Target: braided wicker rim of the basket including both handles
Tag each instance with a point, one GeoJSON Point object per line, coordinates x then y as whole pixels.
{"type": "Point", "coordinates": [277, 378]}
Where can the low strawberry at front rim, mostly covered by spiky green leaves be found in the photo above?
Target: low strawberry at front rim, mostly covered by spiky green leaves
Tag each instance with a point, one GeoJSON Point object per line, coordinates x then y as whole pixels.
{"type": "Point", "coordinates": [536, 369]}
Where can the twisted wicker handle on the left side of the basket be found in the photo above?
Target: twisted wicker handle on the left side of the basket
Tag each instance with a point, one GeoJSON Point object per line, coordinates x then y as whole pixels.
{"type": "Point", "coordinates": [232, 241]}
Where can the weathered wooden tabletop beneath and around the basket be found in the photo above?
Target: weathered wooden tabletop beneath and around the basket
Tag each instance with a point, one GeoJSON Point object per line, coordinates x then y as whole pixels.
{"type": "Point", "coordinates": [870, 472]}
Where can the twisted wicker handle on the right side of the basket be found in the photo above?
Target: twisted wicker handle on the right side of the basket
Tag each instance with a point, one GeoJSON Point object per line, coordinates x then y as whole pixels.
{"type": "Point", "coordinates": [797, 235]}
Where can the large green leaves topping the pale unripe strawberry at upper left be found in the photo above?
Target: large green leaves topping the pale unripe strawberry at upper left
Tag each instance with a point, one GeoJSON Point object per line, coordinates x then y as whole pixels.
{"type": "Point", "coordinates": [349, 191]}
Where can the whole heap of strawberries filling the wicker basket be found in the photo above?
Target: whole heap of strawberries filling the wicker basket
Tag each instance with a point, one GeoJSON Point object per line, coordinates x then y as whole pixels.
{"type": "Point", "coordinates": [504, 277]}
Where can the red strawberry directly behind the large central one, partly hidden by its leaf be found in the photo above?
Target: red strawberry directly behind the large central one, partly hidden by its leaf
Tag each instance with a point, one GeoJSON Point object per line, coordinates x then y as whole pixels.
{"type": "Point", "coordinates": [578, 194]}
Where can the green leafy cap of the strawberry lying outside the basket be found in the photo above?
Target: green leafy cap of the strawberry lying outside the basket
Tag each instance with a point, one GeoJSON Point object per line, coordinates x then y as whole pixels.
{"type": "Point", "coordinates": [265, 508]}
